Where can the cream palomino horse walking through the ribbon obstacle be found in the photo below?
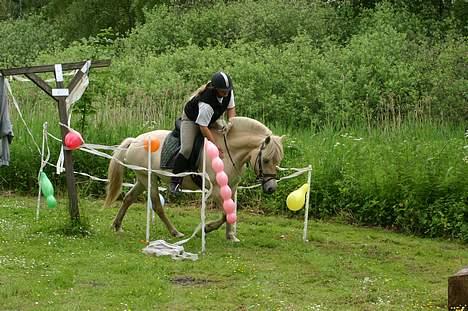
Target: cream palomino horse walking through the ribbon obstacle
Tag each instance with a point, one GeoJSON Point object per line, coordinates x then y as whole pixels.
{"type": "Point", "coordinates": [247, 141]}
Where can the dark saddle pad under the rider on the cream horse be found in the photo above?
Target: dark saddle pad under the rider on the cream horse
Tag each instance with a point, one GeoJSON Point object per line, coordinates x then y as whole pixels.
{"type": "Point", "coordinates": [171, 148]}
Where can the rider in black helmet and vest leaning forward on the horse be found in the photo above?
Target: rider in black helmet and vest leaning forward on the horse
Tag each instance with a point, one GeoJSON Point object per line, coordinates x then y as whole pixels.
{"type": "Point", "coordinates": [202, 110]}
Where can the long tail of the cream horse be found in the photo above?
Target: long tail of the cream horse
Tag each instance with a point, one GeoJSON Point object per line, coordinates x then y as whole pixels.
{"type": "Point", "coordinates": [115, 172]}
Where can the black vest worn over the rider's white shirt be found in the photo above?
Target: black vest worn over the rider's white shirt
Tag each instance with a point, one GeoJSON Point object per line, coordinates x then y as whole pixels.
{"type": "Point", "coordinates": [209, 97]}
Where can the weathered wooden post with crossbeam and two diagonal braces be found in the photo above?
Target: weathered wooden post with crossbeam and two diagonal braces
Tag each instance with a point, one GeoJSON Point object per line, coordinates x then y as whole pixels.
{"type": "Point", "coordinates": [60, 94]}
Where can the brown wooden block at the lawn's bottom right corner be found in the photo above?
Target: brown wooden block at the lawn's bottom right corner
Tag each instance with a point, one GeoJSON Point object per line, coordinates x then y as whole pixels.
{"type": "Point", "coordinates": [458, 290]}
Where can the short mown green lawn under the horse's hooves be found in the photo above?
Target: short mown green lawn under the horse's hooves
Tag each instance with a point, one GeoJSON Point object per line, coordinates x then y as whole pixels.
{"type": "Point", "coordinates": [342, 267]}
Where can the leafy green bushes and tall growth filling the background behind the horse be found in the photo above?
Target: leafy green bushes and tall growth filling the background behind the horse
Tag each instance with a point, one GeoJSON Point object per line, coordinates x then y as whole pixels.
{"type": "Point", "coordinates": [321, 71]}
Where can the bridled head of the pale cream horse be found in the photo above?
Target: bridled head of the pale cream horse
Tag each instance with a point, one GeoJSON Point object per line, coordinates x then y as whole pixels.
{"type": "Point", "coordinates": [265, 161]}
